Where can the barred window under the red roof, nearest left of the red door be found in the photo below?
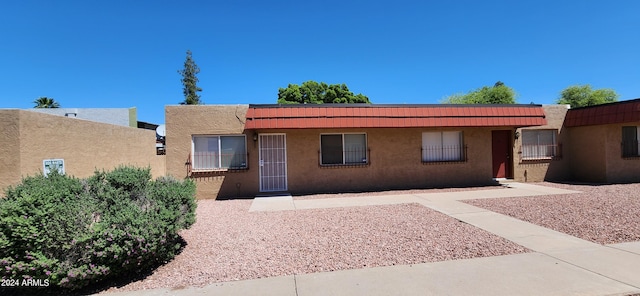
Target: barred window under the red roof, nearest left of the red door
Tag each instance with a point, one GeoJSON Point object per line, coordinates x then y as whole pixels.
{"type": "Point", "coordinates": [442, 146]}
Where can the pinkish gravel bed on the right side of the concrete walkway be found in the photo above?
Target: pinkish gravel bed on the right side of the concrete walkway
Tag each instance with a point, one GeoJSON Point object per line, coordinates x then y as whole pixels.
{"type": "Point", "coordinates": [603, 214]}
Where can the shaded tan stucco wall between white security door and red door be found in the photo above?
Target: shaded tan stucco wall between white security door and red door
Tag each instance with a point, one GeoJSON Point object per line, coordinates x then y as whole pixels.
{"type": "Point", "coordinates": [395, 162]}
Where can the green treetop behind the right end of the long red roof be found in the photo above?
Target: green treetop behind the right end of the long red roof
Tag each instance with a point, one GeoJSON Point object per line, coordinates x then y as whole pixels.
{"type": "Point", "coordinates": [499, 93]}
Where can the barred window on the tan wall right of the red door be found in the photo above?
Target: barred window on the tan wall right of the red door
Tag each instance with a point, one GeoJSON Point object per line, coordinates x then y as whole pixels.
{"type": "Point", "coordinates": [539, 144]}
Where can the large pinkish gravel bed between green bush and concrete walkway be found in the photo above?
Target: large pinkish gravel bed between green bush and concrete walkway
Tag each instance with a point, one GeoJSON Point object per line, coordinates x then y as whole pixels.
{"type": "Point", "coordinates": [228, 243]}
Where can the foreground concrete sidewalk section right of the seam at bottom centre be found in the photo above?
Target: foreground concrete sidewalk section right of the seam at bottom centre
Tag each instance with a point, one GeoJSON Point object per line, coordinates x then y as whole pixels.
{"type": "Point", "coordinates": [522, 274]}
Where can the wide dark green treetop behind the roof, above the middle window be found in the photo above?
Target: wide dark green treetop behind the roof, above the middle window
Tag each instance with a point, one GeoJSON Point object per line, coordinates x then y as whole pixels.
{"type": "Point", "coordinates": [311, 92]}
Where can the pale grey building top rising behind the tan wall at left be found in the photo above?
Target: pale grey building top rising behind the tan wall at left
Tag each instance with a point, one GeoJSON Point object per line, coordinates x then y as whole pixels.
{"type": "Point", "coordinates": [117, 116]}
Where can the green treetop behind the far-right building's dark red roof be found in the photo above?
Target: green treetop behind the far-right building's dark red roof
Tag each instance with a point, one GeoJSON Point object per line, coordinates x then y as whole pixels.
{"type": "Point", "coordinates": [583, 95]}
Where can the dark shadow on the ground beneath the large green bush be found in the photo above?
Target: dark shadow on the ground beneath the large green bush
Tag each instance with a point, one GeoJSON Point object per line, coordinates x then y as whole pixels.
{"type": "Point", "coordinates": [119, 281]}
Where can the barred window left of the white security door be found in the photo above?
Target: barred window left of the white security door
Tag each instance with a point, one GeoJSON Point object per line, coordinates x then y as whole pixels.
{"type": "Point", "coordinates": [219, 152]}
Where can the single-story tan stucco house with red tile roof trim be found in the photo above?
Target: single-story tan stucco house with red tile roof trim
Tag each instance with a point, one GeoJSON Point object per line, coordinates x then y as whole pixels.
{"type": "Point", "coordinates": [248, 150]}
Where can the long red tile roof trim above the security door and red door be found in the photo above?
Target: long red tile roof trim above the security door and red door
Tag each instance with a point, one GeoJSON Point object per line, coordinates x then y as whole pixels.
{"type": "Point", "coordinates": [383, 116]}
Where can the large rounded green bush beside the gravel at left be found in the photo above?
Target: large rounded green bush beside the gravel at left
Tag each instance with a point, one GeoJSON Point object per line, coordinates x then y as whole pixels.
{"type": "Point", "coordinates": [74, 232]}
